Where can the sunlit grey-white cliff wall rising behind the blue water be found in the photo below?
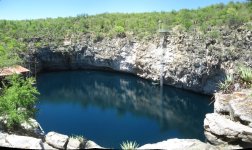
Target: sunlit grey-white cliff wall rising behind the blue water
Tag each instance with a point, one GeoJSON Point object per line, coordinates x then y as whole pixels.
{"type": "Point", "coordinates": [195, 62]}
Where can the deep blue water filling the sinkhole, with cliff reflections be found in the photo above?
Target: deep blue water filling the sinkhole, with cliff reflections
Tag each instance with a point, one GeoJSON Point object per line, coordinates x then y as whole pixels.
{"type": "Point", "coordinates": [110, 108]}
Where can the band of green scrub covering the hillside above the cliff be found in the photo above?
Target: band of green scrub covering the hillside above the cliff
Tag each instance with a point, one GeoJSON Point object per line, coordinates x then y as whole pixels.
{"type": "Point", "coordinates": [44, 32]}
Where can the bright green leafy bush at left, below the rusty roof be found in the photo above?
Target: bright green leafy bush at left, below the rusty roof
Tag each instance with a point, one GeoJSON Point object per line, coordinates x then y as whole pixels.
{"type": "Point", "coordinates": [17, 100]}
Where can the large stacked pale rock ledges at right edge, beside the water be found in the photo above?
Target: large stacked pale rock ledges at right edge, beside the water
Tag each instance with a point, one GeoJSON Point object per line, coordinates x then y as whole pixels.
{"type": "Point", "coordinates": [231, 122]}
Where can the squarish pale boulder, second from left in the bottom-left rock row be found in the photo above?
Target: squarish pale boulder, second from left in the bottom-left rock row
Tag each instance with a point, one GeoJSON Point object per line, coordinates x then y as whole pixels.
{"type": "Point", "coordinates": [56, 140]}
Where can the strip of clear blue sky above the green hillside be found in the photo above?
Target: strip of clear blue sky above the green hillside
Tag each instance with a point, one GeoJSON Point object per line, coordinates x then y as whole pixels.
{"type": "Point", "coordinates": [33, 9]}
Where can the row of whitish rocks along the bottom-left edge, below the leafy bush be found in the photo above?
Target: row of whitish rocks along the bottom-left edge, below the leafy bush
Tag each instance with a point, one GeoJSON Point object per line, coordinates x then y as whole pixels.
{"type": "Point", "coordinates": [52, 140]}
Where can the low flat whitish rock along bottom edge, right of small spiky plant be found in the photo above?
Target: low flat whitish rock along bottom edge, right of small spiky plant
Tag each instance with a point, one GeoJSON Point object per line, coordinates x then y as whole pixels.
{"type": "Point", "coordinates": [191, 144]}
